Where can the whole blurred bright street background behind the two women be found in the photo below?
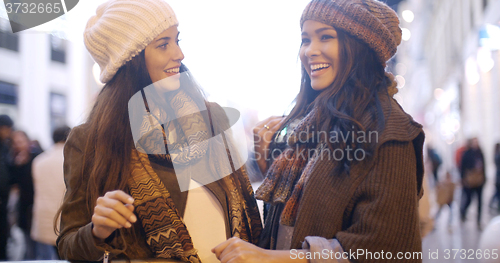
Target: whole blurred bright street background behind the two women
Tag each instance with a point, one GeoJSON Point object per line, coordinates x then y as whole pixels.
{"type": "Point", "coordinates": [447, 69]}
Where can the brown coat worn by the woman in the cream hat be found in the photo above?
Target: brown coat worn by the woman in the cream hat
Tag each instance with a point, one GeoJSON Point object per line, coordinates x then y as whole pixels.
{"type": "Point", "coordinates": [76, 241]}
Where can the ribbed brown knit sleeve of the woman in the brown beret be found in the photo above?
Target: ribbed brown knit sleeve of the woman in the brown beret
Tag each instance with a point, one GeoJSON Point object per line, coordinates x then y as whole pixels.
{"type": "Point", "coordinates": [384, 217]}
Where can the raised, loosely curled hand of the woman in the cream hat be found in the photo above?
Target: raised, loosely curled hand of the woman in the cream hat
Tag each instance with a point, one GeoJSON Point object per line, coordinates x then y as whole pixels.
{"type": "Point", "coordinates": [114, 210]}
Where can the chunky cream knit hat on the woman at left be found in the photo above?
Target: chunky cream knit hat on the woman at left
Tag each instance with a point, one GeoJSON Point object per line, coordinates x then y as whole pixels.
{"type": "Point", "coordinates": [121, 29]}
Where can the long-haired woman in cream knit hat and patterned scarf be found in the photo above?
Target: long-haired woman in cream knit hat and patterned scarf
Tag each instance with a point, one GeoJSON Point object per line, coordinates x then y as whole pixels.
{"type": "Point", "coordinates": [144, 173]}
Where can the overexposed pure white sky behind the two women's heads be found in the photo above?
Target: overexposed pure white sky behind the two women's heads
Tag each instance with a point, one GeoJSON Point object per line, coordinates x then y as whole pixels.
{"type": "Point", "coordinates": [238, 59]}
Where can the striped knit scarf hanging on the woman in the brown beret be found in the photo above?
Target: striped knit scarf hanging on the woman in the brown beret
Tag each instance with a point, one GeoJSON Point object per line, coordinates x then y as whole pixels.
{"type": "Point", "coordinates": [288, 174]}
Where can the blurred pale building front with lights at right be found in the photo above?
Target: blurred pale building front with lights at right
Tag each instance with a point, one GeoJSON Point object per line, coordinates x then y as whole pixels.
{"type": "Point", "coordinates": [448, 72]}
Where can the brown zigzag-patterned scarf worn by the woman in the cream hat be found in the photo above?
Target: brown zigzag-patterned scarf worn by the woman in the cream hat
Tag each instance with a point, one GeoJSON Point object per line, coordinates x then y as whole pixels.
{"type": "Point", "coordinates": [166, 233]}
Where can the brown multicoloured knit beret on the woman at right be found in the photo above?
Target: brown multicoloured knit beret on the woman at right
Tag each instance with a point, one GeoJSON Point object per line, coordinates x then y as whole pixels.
{"type": "Point", "coordinates": [370, 21]}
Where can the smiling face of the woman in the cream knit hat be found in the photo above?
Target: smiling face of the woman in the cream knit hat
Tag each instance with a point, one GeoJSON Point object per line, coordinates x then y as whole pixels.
{"type": "Point", "coordinates": [163, 59]}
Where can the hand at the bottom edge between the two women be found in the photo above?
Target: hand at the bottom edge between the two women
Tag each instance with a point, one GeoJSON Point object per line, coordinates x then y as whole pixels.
{"type": "Point", "coordinates": [235, 250]}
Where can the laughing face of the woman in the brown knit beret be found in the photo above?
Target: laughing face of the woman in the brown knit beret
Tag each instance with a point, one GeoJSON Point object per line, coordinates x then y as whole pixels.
{"type": "Point", "coordinates": [319, 53]}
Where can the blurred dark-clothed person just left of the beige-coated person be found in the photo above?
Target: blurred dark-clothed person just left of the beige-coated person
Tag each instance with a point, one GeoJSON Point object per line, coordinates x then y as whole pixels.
{"type": "Point", "coordinates": [21, 173]}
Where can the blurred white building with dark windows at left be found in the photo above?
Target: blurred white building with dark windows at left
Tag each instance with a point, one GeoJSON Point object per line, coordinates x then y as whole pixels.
{"type": "Point", "coordinates": [45, 81]}
